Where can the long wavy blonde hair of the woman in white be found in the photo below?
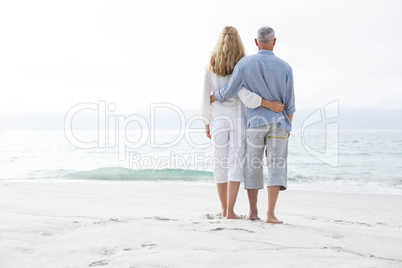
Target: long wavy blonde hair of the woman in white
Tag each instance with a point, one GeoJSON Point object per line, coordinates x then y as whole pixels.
{"type": "Point", "coordinates": [227, 52]}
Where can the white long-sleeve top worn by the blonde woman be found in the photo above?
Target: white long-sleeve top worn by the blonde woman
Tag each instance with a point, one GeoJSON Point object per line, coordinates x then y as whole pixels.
{"type": "Point", "coordinates": [233, 107]}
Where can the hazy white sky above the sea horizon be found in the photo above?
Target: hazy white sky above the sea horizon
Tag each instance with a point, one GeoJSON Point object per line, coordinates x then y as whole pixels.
{"type": "Point", "coordinates": [57, 54]}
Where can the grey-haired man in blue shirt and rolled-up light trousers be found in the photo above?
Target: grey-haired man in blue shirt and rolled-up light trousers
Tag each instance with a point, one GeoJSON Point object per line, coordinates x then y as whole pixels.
{"type": "Point", "coordinates": [272, 79]}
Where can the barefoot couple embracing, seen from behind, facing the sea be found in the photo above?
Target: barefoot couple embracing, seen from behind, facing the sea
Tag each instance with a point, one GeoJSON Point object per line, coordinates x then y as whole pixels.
{"type": "Point", "coordinates": [250, 111]}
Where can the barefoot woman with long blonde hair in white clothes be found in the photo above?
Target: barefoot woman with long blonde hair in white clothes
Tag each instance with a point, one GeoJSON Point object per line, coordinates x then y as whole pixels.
{"type": "Point", "coordinates": [227, 129]}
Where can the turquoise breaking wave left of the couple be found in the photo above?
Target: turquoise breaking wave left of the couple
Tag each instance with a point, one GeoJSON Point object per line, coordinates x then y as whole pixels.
{"type": "Point", "coordinates": [125, 174]}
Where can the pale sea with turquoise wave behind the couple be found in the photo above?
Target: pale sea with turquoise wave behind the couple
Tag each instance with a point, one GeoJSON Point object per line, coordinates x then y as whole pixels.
{"type": "Point", "coordinates": [334, 160]}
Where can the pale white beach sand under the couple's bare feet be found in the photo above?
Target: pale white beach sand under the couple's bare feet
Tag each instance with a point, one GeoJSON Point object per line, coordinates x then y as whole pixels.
{"type": "Point", "coordinates": [49, 223]}
